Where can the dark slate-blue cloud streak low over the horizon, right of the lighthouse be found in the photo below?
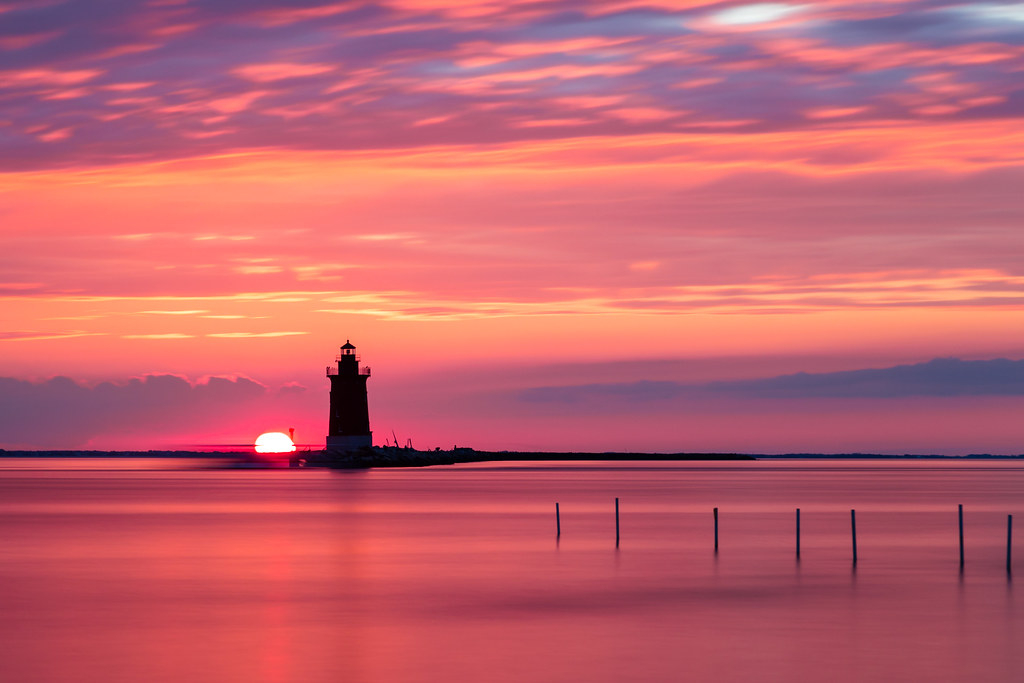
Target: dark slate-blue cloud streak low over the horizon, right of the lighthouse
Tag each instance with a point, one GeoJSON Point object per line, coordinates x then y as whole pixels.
{"type": "Point", "coordinates": [942, 377]}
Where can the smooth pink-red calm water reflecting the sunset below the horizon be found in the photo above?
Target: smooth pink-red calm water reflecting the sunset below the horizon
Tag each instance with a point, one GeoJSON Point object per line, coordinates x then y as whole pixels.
{"type": "Point", "coordinates": [455, 574]}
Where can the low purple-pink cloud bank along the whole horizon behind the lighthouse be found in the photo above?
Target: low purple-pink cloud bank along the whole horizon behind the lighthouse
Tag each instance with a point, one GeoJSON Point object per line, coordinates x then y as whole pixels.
{"type": "Point", "coordinates": [943, 406]}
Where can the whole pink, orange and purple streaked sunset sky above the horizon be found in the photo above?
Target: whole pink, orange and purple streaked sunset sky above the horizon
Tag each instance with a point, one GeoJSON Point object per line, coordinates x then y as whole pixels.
{"type": "Point", "coordinates": [666, 226]}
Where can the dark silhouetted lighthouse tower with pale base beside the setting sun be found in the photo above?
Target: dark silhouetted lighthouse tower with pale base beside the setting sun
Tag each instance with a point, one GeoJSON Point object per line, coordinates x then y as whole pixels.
{"type": "Point", "coordinates": [350, 425]}
